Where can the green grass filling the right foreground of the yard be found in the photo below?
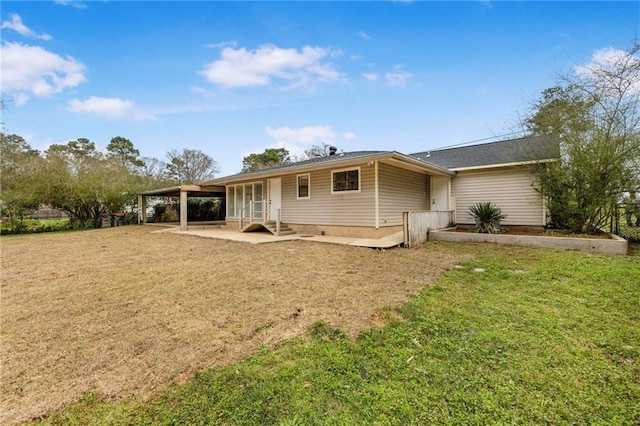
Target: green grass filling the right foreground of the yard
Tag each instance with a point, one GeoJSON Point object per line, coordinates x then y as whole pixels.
{"type": "Point", "coordinates": [539, 337]}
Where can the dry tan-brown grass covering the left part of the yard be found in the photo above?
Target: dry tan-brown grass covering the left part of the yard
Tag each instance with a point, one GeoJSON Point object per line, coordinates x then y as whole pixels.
{"type": "Point", "coordinates": [122, 311]}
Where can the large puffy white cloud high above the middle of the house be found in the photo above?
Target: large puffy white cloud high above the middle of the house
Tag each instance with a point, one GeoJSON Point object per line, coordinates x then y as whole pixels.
{"type": "Point", "coordinates": [243, 68]}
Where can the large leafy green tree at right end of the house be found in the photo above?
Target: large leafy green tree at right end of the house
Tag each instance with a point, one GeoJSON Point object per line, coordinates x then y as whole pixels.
{"type": "Point", "coordinates": [595, 116]}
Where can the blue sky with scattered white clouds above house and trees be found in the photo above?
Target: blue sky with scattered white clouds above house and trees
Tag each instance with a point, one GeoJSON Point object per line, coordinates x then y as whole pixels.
{"type": "Point", "coordinates": [231, 78]}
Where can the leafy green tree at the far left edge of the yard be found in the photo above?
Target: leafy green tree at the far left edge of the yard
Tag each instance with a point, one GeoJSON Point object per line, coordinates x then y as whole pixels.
{"type": "Point", "coordinates": [19, 170]}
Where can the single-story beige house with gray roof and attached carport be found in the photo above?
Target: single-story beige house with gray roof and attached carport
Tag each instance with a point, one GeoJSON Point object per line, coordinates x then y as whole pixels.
{"type": "Point", "coordinates": [364, 194]}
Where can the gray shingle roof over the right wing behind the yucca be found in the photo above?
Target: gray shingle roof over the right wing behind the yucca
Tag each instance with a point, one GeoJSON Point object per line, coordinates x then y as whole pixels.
{"type": "Point", "coordinates": [531, 148]}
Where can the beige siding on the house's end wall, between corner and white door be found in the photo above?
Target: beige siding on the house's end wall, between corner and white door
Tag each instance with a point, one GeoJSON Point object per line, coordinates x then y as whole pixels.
{"type": "Point", "coordinates": [399, 191]}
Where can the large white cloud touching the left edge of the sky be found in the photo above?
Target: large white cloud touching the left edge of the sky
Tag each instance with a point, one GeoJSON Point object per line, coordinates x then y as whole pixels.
{"type": "Point", "coordinates": [32, 69]}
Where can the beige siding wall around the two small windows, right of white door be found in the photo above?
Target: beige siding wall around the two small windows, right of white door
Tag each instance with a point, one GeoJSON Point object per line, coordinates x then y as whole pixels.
{"type": "Point", "coordinates": [325, 208]}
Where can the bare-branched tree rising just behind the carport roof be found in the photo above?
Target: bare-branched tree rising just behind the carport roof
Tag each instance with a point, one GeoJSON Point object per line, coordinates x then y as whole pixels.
{"type": "Point", "coordinates": [191, 166]}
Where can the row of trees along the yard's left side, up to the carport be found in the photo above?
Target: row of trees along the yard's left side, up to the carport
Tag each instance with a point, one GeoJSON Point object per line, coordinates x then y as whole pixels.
{"type": "Point", "coordinates": [86, 182]}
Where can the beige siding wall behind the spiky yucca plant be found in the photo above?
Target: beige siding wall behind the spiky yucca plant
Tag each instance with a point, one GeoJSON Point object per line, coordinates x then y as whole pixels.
{"type": "Point", "coordinates": [509, 188]}
